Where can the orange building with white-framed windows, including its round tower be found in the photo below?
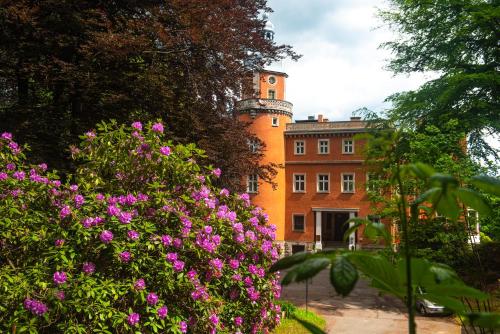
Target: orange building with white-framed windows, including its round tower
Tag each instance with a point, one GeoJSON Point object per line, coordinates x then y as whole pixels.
{"type": "Point", "coordinates": [323, 182]}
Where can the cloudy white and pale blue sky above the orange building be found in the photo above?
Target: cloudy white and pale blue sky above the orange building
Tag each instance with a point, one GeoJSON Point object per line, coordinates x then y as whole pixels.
{"type": "Point", "coordinates": [341, 68]}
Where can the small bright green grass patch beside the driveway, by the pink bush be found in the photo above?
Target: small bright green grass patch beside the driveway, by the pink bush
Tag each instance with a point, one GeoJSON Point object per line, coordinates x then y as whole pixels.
{"type": "Point", "coordinates": [301, 322]}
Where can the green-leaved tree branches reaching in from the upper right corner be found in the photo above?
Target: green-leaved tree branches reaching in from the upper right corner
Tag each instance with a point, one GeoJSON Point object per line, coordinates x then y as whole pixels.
{"type": "Point", "coordinates": [458, 40]}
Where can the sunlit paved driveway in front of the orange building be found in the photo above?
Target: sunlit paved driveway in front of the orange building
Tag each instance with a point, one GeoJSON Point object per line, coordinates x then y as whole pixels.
{"type": "Point", "coordinates": [363, 311]}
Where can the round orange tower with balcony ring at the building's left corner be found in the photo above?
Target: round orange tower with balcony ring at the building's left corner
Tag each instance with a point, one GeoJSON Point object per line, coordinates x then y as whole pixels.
{"type": "Point", "coordinates": [268, 112]}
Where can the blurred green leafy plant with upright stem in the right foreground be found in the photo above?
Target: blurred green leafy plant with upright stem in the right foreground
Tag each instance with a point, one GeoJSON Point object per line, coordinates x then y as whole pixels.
{"type": "Point", "coordinates": [402, 275]}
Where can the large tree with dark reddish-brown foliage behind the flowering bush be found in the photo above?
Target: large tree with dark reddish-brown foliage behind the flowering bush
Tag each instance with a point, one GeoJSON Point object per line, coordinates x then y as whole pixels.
{"type": "Point", "coordinates": [66, 65]}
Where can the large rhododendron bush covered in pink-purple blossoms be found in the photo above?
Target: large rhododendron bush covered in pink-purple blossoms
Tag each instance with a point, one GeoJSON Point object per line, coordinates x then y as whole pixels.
{"type": "Point", "coordinates": [139, 241]}
